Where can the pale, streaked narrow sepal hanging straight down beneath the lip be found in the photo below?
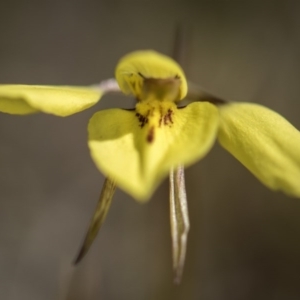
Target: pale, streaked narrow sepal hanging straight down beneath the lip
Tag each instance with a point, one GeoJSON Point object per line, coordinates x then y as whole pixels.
{"type": "Point", "coordinates": [179, 218]}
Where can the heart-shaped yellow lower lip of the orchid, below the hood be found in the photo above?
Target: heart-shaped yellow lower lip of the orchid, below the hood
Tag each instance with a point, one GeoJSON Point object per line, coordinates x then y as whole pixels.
{"type": "Point", "coordinates": [139, 157]}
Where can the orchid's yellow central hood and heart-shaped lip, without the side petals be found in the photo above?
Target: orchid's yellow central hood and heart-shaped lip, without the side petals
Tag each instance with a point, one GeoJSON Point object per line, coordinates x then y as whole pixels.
{"type": "Point", "coordinates": [139, 147]}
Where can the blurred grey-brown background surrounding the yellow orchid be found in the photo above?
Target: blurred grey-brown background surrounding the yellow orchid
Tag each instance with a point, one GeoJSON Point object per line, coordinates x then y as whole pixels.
{"type": "Point", "coordinates": [244, 241]}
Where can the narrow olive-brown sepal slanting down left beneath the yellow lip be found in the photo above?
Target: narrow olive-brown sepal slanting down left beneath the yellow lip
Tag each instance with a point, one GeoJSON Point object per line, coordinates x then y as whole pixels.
{"type": "Point", "coordinates": [102, 208]}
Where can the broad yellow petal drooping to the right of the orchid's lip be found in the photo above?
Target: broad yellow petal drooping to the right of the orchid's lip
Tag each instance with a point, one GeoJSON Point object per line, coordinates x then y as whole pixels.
{"type": "Point", "coordinates": [264, 142]}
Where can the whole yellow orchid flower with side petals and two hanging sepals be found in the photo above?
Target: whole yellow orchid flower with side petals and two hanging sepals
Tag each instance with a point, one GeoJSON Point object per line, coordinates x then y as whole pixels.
{"type": "Point", "coordinates": [136, 149]}
